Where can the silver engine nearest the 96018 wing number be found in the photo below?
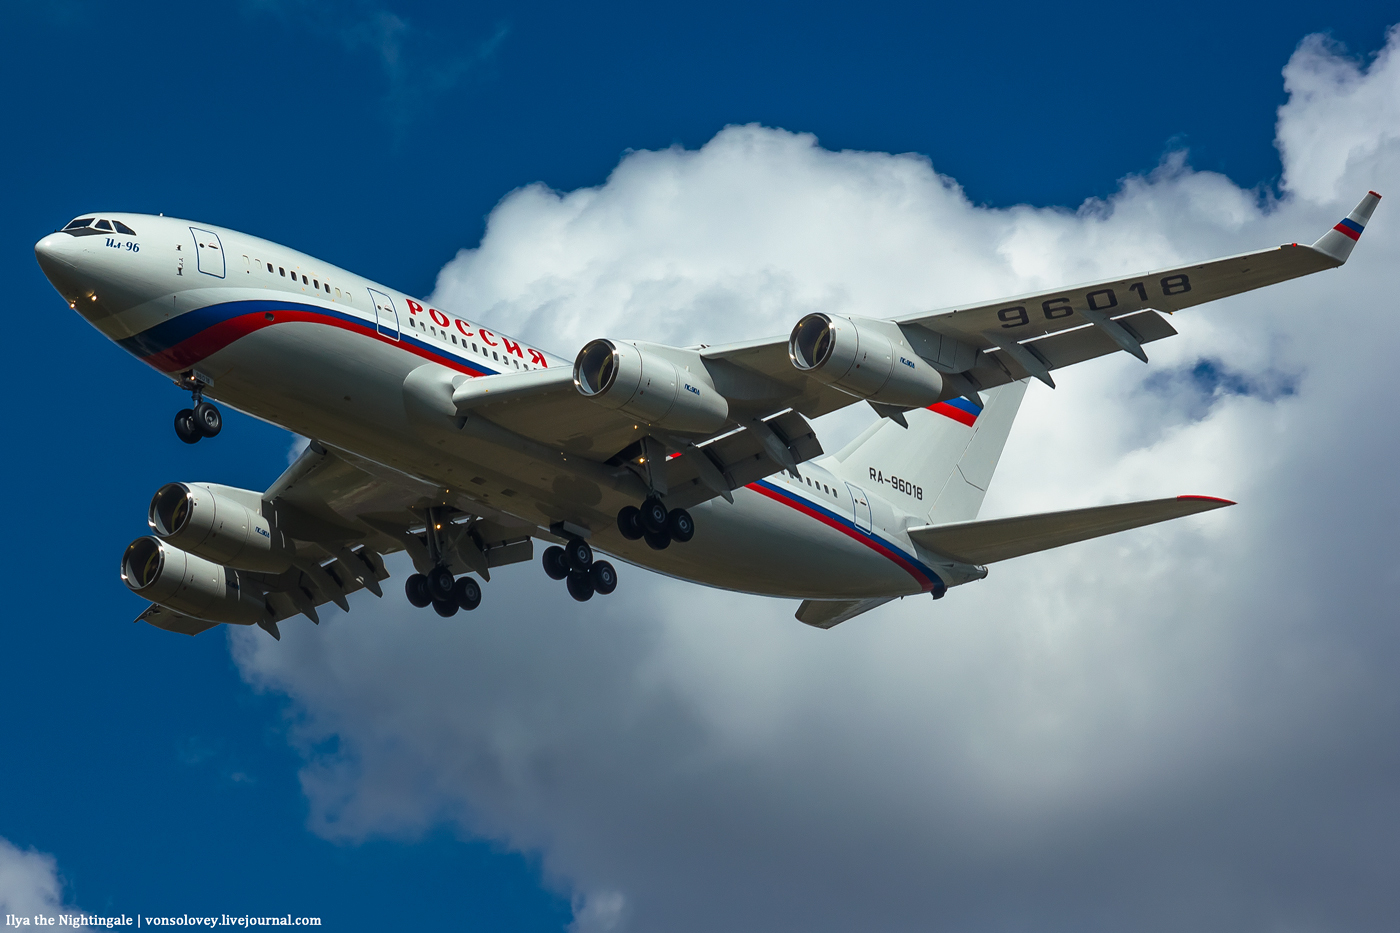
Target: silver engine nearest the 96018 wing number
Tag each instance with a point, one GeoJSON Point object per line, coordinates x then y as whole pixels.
{"type": "Point", "coordinates": [863, 358]}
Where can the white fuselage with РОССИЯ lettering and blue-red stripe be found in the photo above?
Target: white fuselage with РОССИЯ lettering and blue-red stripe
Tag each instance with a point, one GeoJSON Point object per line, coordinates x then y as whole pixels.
{"type": "Point", "coordinates": [324, 352]}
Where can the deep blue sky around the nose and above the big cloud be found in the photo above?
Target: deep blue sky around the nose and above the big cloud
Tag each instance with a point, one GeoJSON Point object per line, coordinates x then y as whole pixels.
{"type": "Point", "coordinates": [380, 138]}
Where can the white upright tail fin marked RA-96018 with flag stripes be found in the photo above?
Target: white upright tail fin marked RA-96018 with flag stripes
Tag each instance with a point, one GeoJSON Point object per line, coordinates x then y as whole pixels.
{"type": "Point", "coordinates": [946, 456]}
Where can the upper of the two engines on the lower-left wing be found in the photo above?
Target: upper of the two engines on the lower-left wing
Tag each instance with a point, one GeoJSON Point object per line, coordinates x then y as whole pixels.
{"type": "Point", "coordinates": [209, 522]}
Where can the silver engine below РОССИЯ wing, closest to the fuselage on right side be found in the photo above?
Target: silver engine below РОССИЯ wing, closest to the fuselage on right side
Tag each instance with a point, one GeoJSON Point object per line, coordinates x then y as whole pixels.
{"type": "Point", "coordinates": [652, 385]}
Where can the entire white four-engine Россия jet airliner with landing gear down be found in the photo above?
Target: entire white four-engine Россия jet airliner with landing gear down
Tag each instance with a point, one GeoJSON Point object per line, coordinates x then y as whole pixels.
{"type": "Point", "coordinates": [435, 435]}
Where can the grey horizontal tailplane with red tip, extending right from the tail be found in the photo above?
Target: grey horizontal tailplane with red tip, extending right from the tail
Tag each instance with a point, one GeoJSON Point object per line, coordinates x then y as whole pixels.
{"type": "Point", "coordinates": [981, 543]}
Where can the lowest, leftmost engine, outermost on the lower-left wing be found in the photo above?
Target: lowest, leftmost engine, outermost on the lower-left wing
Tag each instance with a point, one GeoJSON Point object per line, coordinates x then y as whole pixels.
{"type": "Point", "coordinates": [190, 585]}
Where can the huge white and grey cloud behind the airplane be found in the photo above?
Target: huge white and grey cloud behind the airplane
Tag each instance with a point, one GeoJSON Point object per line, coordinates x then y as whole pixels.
{"type": "Point", "coordinates": [1191, 726]}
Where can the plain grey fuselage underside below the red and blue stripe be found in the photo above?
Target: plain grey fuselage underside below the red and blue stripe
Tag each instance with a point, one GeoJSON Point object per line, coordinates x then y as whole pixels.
{"type": "Point", "coordinates": [348, 392]}
